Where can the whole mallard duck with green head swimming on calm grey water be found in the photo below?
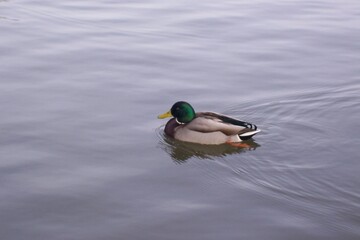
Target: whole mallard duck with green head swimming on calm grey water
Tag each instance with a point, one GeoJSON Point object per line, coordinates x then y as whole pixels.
{"type": "Point", "coordinates": [205, 127]}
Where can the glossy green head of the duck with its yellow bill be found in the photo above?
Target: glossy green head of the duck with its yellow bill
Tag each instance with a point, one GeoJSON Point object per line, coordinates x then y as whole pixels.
{"type": "Point", "coordinates": [182, 111]}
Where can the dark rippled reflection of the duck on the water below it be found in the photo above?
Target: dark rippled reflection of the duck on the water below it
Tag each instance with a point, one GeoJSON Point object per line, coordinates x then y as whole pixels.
{"type": "Point", "coordinates": [180, 151]}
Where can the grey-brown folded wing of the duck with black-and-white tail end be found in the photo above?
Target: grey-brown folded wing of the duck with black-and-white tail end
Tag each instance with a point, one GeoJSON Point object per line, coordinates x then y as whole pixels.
{"type": "Point", "coordinates": [213, 122]}
